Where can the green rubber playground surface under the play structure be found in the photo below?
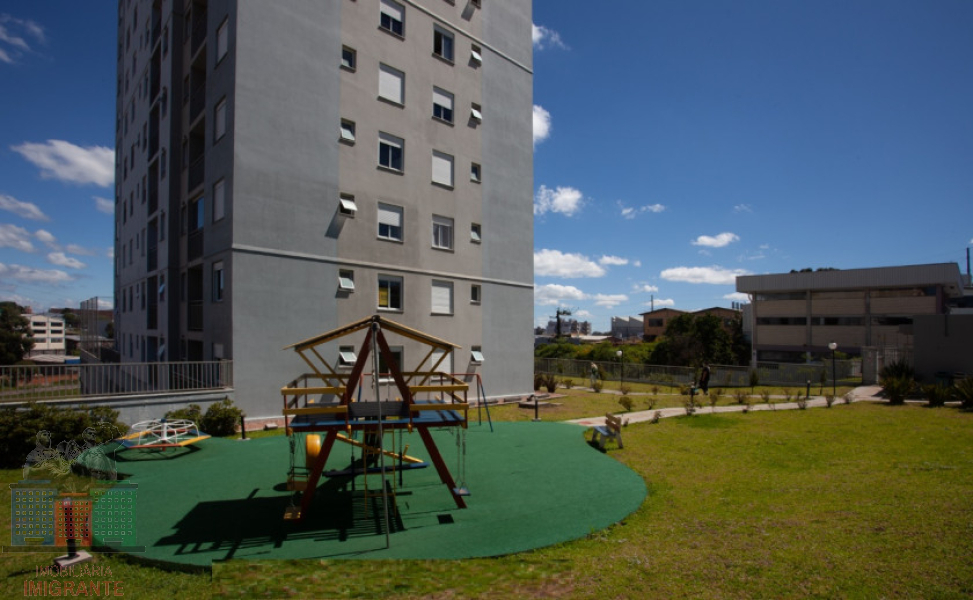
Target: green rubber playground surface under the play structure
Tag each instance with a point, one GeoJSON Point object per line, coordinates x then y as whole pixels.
{"type": "Point", "coordinates": [531, 485]}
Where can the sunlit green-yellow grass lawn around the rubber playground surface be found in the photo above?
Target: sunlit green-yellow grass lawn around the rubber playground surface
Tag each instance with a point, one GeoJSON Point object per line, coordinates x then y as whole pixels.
{"type": "Point", "coordinates": [860, 501]}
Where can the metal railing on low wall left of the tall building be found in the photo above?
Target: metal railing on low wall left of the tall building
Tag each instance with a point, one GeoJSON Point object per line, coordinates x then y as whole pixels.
{"type": "Point", "coordinates": [24, 383]}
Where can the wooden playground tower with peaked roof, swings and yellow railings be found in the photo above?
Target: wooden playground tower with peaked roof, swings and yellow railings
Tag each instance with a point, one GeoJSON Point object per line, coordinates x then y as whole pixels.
{"type": "Point", "coordinates": [308, 412]}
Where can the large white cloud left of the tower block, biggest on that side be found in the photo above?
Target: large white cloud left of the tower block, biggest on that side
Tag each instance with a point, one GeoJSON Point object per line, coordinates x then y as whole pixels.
{"type": "Point", "coordinates": [62, 160]}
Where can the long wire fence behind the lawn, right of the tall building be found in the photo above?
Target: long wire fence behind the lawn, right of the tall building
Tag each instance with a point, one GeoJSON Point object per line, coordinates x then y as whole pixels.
{"type": "Point", "coordinates": [848, 372]}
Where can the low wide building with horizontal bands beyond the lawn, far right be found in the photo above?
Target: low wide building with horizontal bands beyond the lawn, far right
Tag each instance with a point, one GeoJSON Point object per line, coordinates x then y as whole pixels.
{"type": "Point", "coordinates": [793, 314]}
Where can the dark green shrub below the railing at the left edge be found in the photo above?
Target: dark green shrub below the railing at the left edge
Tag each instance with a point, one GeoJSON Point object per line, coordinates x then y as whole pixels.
{"type": "Point", "coordinates": [19, 428]}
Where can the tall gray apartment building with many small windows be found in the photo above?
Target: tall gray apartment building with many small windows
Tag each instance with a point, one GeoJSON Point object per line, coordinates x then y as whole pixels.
{"type": "Point", "coordinates": [286, 167]}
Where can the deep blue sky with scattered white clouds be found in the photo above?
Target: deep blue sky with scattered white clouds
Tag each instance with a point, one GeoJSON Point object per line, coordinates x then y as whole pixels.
{"type": "Point", "coordinates": [677, 145]}
